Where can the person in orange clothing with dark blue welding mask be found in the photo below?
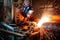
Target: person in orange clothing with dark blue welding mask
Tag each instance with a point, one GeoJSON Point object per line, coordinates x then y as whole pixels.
{"type": "Point", "coordinates": [23, 13]}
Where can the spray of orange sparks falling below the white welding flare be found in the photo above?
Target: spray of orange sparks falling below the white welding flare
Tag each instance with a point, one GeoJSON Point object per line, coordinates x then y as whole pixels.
{"type": "Point", "coordinates": [46, 34]}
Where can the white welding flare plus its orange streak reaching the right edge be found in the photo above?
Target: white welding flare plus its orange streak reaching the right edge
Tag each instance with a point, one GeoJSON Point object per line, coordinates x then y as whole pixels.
{"type": "Point", "coordinates": [47, 18]}
